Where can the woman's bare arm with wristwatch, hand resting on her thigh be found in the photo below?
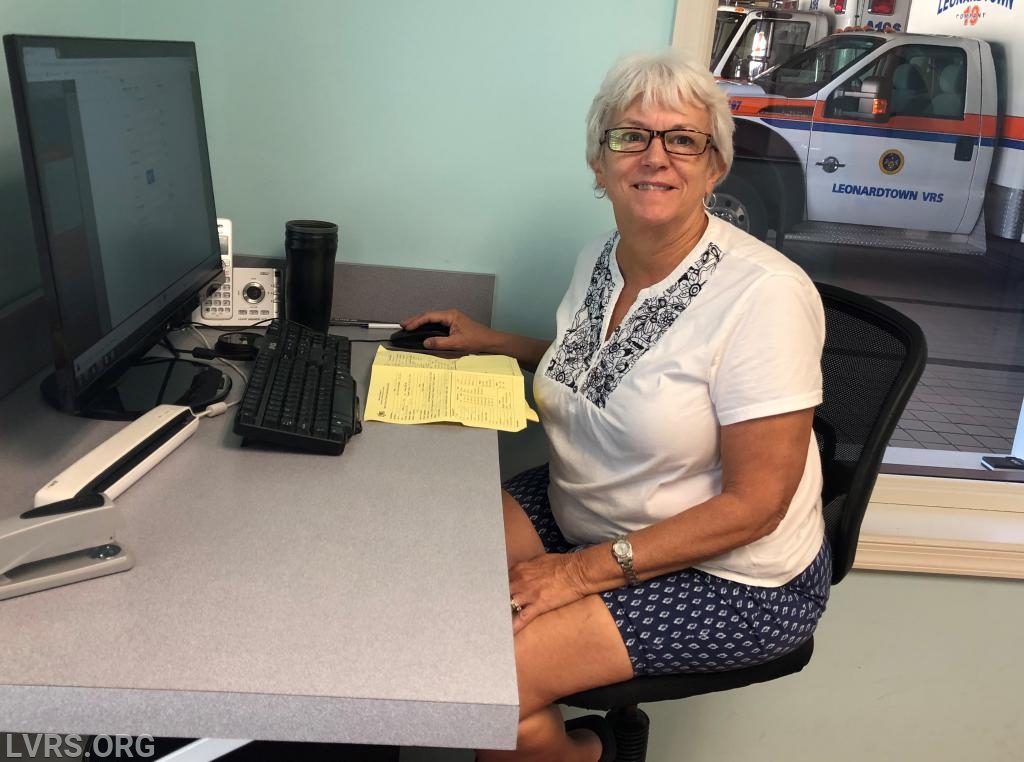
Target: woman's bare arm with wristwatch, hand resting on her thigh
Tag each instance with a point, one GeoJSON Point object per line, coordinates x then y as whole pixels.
{"type": "Point", "coordinates": [763, 461]}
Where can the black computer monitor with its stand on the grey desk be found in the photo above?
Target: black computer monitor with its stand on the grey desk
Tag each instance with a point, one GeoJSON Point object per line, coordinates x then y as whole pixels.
{"type": "Point", "coordinates": [118, 178]}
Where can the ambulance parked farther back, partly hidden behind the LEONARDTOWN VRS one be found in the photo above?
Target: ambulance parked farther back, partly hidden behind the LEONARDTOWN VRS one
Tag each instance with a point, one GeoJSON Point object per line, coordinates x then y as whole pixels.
{"type": "Point", "coordinates": [751, 37]}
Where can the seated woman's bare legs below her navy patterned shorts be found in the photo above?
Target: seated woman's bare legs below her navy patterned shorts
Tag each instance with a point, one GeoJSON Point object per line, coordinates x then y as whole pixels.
{"type": "Point", "coordinates": [572, 649]}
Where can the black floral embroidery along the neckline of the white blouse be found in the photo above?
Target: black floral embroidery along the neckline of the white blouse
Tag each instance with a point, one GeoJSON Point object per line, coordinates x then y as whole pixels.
{"type": "Point", "coordinates": [632, 338]}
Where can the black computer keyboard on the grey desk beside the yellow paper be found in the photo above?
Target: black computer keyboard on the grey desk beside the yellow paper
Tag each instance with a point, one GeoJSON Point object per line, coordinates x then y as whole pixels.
{"type": "Point", "coordinates": [302, 394]}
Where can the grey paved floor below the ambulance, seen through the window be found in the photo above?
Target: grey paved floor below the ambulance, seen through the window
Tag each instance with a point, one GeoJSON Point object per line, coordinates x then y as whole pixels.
{"type": "Point", "coordinates": [972, 312]}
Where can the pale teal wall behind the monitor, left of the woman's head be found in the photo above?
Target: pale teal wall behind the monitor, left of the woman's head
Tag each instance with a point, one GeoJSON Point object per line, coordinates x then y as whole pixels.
{"type": "Point", "coordinates": [409, 123]}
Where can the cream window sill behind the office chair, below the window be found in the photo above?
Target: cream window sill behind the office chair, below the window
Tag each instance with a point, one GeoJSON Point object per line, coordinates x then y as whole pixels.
{"type": "Point", "coordinates": [957, 520]}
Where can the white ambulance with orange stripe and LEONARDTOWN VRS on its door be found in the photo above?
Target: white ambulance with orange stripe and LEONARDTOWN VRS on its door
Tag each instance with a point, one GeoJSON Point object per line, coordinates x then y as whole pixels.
{"type": "Point", "coordinates": [905, 137]}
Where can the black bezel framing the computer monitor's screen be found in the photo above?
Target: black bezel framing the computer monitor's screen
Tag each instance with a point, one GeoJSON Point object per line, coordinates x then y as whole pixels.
{"type": "Point", "coordinates": [71, 394]}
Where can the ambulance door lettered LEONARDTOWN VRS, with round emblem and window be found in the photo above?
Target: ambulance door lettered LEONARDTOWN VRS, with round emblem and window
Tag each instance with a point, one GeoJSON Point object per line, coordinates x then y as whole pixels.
{"type": "Point", "coordinates": [910, 166]}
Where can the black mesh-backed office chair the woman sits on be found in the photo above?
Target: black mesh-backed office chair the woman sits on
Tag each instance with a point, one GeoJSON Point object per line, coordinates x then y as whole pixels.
{"type": "Point", "coordinates": [872, 361]}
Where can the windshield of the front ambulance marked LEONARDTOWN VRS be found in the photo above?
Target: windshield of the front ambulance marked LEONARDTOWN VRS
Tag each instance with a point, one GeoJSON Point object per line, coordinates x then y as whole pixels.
{"type": "Point", "coordinates": [805, 73]}
